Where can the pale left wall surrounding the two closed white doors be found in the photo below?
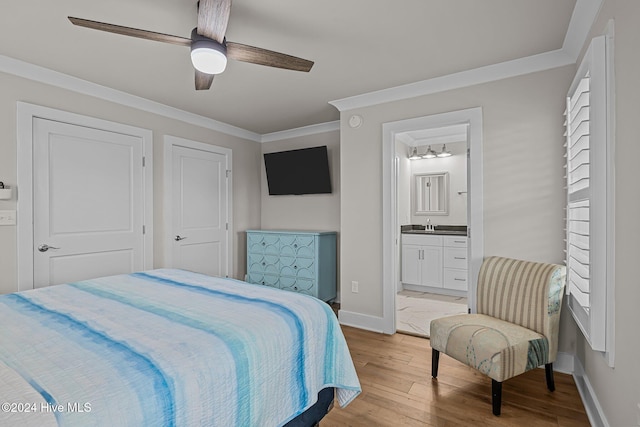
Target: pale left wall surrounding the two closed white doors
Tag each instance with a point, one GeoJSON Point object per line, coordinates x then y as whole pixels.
{"type": "Point", "coordinates": [246, 166]}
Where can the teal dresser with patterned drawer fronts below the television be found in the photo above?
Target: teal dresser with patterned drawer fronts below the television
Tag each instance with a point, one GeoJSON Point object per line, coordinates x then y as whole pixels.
{"type": "Point", "coordinates": [298, 261]}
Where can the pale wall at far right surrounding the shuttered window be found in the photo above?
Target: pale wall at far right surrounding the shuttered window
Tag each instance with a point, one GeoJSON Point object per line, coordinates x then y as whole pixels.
{"type": "Point", "coordinates": [618, 389]}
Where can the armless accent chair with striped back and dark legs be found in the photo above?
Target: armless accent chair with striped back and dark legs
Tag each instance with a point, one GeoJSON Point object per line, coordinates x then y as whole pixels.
{"type": "Point", "coordinates": [516, 325]}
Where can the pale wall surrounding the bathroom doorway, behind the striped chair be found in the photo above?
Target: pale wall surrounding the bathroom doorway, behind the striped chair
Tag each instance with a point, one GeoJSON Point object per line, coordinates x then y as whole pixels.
{"type": "Point", "coordinates": [523, 178]}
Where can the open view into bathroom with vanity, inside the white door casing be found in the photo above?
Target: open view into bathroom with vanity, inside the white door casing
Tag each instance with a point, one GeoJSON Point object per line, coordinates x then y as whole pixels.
{"type": "Point", "coordinates": [431, 201]}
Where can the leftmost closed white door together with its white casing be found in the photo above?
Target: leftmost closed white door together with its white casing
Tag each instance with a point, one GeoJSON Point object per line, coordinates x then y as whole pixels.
{"type": "Point", "coordinates": [84, 190]}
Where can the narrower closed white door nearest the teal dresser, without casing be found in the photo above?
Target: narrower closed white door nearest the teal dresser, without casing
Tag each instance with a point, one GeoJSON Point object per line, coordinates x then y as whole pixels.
{"type": "Point", "coordinates": [199, 234]}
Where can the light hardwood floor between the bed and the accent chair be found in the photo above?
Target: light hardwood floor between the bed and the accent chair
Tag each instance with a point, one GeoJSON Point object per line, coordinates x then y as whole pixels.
{"type": "Point", "coordinates": [397, 390]}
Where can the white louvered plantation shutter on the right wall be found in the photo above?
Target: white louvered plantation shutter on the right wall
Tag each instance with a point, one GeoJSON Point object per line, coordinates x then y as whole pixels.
{"type": "Point", "coordinates": [586, 215]}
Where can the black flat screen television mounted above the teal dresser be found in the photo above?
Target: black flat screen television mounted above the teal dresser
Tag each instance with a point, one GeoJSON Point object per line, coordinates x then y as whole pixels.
{"type": "Point", "coordinates": [303, 171]}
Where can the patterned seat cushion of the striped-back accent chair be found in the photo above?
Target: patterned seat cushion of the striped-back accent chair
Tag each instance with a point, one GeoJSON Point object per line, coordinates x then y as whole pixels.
{"type": "Point", "coordinates": [497, 348]}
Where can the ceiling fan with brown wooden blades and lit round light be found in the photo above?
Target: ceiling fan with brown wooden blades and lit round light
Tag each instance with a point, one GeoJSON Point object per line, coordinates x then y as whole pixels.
{"type": "Point", "coordinates": [209, 48]}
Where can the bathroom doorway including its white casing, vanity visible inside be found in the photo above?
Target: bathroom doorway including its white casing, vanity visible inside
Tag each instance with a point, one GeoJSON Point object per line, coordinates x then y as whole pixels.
{"type": "Point", "coordinates": [437, 197]}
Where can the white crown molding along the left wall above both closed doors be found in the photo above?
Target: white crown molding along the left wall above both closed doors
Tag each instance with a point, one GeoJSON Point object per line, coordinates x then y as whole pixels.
{"type": "Point", "coordinates": [54, 78]}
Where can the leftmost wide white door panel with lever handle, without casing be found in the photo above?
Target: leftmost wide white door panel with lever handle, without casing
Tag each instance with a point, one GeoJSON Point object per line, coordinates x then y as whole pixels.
{"type": "Point", "coordinates": [88, 203]}
